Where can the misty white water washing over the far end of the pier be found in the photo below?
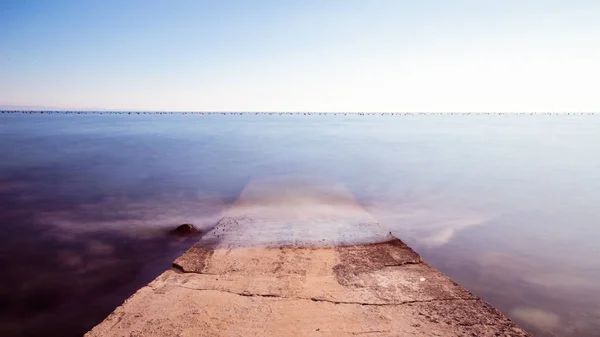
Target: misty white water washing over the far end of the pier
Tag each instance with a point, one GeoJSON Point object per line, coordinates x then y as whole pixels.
{"type": "Point", "coordinates": [290, 210]}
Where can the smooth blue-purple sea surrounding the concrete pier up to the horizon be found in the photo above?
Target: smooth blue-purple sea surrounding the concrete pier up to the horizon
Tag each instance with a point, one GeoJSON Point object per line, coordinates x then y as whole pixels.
{"type": "Point", "coordinates": [509, 206]}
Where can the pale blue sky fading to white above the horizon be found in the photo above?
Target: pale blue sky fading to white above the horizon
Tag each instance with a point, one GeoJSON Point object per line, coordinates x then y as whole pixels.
{"type": "Point", "coordinates": [301, 55]}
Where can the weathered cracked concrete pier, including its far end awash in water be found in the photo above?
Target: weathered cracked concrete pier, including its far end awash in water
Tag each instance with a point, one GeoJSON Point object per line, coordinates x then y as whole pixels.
{"type": "Point", "coordinates": [312, 263]}
